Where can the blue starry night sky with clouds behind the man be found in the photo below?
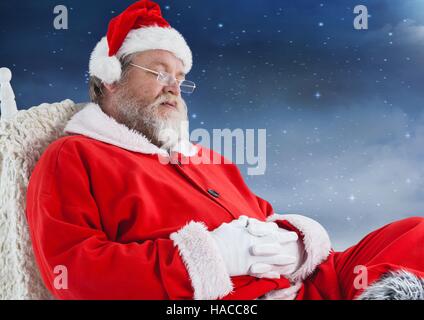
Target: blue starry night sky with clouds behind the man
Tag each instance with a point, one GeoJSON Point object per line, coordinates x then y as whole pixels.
{"type": "Point", "coordinates": [342, 108]}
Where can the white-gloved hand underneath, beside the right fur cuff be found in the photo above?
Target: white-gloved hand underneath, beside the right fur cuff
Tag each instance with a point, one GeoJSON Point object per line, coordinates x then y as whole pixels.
{"type": "Point", "coordinates": [293, 247]}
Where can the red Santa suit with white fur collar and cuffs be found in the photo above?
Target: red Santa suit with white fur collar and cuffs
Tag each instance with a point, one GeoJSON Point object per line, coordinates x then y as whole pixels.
{"type": "Point", "coordinates": [130, 221]}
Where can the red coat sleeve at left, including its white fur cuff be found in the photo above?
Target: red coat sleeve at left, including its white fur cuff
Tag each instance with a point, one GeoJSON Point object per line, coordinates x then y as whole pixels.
{"type": "Point", "coordinates": [66, 232]}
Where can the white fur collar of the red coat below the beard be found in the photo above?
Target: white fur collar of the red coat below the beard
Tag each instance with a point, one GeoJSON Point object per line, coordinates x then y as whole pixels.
{"type": "Point", "coordinates": [92, 122]}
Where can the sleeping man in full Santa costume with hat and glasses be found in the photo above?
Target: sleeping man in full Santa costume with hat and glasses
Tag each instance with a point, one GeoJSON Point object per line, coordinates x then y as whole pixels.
{"type": "Point", "coordinates": [126, 224]}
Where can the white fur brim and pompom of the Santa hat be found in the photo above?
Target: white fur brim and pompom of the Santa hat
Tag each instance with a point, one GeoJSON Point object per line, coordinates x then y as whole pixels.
{"type": "Point", "coordinates": [108, 68]}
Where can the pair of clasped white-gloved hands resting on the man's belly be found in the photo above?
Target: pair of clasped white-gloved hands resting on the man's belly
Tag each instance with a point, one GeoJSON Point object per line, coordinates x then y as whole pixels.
{"type": "Point", "coordinates": [261, 249]}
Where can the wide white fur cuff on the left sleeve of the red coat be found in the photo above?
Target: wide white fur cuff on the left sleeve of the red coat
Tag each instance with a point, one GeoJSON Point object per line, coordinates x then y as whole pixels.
{"type": "Point", "coordinates": [204, 263]}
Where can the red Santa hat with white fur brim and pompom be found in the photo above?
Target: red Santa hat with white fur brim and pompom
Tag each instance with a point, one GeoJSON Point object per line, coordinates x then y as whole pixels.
{"type": "Point", "coordinates": [139, 28]}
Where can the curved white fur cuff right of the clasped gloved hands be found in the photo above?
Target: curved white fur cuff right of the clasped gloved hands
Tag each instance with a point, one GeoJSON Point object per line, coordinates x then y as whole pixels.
{"type": "Point", "coordinates": [315, 239]}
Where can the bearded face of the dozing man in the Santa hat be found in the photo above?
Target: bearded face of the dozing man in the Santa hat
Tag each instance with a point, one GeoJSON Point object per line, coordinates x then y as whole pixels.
{"type": "Point", "coordinates": [144, 104]}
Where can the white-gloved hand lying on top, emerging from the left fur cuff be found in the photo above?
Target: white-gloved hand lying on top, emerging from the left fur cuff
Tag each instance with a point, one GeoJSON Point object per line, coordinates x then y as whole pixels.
{"type": "Point", "coordinates": [248, 254]}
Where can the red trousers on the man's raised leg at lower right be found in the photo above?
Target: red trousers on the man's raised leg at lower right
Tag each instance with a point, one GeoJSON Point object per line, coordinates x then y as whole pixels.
{"type": "Point", "coordinates": [344, 275]}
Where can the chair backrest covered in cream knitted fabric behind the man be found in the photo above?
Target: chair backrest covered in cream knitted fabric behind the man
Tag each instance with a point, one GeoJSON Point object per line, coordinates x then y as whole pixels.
{"type": "Point", "coordinates": [23, 138]}
